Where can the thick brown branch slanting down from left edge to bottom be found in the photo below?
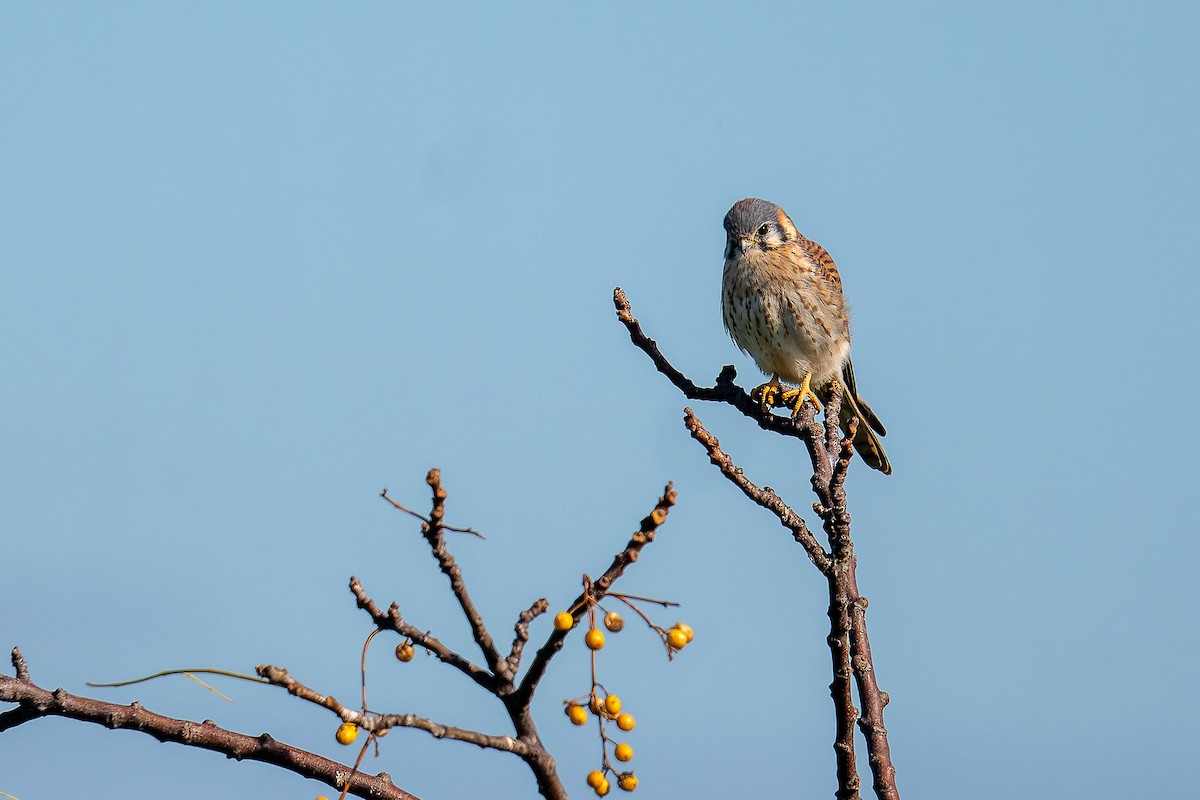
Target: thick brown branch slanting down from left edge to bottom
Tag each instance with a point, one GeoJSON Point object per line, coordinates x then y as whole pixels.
{"type": "Point", "coordinates": [37, 702]}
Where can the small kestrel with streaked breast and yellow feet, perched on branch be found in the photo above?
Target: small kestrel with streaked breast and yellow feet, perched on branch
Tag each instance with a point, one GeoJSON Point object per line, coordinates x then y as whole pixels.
{"type": "Point", "coordinates": [783, 305]}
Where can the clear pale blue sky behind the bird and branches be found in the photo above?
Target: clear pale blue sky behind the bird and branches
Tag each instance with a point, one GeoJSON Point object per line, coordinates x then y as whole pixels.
{"type": "Point", "coordinates": [261, 262]}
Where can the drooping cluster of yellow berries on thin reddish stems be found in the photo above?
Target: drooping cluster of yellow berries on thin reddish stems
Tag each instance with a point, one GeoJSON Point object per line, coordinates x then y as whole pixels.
{"type": "Point", "coordinates": [607, 707]}
